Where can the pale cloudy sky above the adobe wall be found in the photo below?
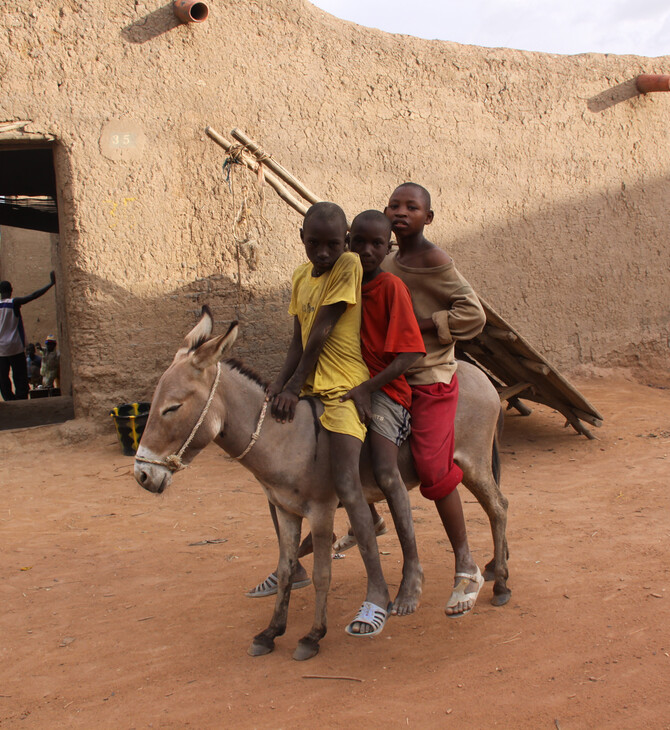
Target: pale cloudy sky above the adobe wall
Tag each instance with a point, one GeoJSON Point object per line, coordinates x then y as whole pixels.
{"type": "Point", "coordinates": [640, 27]}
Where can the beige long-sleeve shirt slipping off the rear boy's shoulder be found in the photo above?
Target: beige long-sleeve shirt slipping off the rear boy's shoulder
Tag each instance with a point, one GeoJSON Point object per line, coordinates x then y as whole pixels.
{"type": "Point", "coordinates": [443, 295]}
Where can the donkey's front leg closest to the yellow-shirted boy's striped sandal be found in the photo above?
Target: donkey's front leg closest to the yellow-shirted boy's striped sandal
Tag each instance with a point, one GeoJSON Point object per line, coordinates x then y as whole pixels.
{"type": "Point", "coordinates": [321, 523]}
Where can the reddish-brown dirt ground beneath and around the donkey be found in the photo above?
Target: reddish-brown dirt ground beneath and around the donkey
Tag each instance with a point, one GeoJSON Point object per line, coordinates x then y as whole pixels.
{"type": "Point", "coordinates": [115, 615]}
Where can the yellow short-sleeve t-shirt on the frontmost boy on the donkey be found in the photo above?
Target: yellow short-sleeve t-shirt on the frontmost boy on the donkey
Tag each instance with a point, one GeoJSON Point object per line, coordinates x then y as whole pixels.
{"type": "Point", "coordinates": [340, 366]}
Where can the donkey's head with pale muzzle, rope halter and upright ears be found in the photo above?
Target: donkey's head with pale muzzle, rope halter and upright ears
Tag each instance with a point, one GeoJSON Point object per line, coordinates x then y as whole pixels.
{"type": "Point", "coordinates": [181, 422]}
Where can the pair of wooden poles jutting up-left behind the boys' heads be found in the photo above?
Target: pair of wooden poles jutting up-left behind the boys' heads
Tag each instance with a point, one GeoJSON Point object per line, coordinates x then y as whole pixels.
{"type": "Point", "coordinates": [247, 152]}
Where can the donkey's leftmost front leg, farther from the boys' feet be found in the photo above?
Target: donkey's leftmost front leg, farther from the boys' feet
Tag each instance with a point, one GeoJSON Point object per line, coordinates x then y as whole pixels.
{"type": "Point", "coordinates": [289, 537]}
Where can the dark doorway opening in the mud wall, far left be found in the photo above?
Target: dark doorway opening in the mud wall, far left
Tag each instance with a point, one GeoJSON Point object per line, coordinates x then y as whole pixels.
{"type": "Point", "coordinates": [29, 251]}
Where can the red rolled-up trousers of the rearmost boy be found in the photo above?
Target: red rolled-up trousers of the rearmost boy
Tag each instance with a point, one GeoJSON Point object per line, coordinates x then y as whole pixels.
{"type": "Point", "coordinates": [432, 441]}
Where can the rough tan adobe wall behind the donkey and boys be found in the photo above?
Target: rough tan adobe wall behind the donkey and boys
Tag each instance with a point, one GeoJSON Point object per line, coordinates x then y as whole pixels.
{"type": "Point", "coordinates": [549, 175]}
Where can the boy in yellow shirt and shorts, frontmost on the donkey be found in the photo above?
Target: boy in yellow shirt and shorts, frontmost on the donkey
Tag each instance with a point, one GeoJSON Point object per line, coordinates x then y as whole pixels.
{"type": "Point", "coordinates": [324, 360]}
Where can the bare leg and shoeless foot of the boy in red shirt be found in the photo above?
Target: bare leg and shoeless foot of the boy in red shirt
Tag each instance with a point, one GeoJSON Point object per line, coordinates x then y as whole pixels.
{"type": "Point", "coordinates": [384, 455]}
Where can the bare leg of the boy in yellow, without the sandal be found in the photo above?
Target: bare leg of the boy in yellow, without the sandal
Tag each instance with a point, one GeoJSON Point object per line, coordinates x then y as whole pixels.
{"type": "Point", "coordinates": [344, 461]}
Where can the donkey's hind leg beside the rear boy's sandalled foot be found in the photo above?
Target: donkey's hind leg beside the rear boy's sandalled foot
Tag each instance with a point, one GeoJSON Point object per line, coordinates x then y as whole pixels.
{"type": "Point", "coordinates": [478, 478]}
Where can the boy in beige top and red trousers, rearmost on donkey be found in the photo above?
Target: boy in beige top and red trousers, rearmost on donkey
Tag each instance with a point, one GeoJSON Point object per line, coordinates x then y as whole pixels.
{"type": "Point", "coordinates": [447, 310]}
